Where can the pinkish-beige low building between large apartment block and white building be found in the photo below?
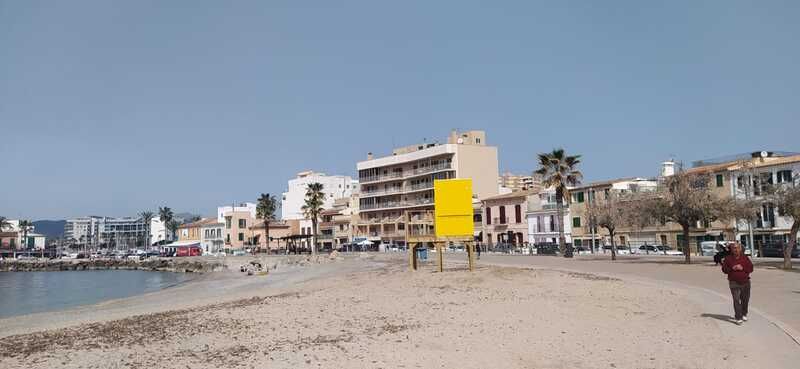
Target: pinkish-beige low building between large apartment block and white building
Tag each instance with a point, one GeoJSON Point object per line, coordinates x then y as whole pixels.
{"type": "Point", "coordinates": [504, 219]}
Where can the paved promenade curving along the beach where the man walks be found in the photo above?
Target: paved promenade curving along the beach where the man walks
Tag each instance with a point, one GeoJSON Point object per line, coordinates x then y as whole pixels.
{"type": "Point", "coordinates": [775, 294]}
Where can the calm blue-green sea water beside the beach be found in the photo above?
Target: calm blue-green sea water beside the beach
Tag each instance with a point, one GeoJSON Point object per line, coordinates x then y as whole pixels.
{"type": "Point", "coordinates": [33, 292]}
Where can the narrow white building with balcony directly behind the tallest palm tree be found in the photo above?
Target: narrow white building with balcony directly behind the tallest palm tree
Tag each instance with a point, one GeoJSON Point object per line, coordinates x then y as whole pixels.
{"type": "Point", "coordinates": [542, 218]}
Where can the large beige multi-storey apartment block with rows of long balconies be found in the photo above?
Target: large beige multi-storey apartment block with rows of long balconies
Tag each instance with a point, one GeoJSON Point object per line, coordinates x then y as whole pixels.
{"type": "Point", "coordinates": [403, 181]}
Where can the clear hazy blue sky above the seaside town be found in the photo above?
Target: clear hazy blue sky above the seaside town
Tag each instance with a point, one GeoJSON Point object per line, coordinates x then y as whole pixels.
{"type": "Point", "coordinates": [114, 107]}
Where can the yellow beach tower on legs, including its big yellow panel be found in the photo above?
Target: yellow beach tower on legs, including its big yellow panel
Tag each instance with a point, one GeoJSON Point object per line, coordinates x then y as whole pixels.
{"type": "Point", "coordinates": [451, 221]}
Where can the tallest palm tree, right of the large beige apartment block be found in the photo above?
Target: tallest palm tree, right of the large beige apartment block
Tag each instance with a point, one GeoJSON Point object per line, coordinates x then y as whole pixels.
{"type": "Point", "coordinates": [560, 171]}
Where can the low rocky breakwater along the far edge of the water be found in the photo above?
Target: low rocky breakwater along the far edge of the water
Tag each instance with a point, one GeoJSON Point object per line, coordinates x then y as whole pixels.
{"type": "Point", "coordinates": [179, 265]}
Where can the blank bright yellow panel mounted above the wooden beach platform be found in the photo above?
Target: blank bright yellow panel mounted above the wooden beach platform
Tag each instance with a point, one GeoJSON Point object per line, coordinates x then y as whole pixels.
{"type": "Point", "coordinates": [453, 208]}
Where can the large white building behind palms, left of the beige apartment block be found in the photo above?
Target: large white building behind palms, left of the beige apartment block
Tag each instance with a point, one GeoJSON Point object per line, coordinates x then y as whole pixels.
{"type": "Point", "coordinates": [335, 187]}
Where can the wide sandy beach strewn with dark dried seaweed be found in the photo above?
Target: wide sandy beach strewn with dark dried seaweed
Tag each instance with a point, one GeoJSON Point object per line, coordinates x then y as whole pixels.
{"type": "Point", "coordinates": [373, 313]}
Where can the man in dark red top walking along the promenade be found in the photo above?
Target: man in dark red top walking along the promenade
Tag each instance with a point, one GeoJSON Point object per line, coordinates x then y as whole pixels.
{"type": "Point", "coordinates": [738, 268]}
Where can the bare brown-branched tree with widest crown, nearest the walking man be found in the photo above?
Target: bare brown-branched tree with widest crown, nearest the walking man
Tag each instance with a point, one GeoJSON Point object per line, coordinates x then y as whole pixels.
{"type": "Point", "coordinates": [686, 199]}
